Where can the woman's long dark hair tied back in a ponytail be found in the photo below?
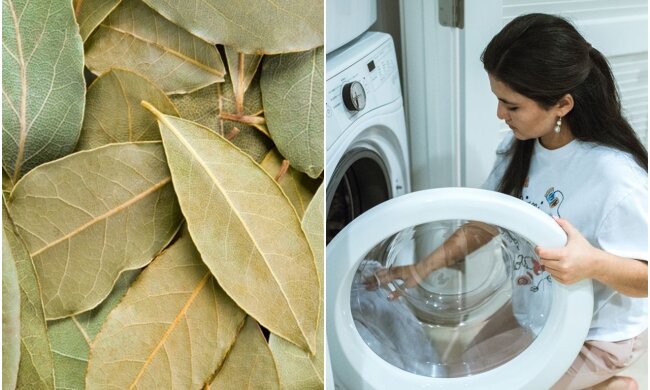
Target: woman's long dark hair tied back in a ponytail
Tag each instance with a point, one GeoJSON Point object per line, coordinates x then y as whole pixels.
{"type": "Point", "coordinates": [543, 57]}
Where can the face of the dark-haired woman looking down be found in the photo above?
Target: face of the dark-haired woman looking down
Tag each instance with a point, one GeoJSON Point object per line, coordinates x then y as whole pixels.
{"type": "Point", "coordinates": [526, 118]}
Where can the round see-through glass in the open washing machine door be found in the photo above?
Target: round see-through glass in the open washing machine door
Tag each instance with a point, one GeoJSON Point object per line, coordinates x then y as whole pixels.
{"type": "Point", "coordinates": [480, 308]}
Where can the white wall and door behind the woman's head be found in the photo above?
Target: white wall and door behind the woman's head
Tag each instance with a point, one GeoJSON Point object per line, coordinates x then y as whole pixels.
{"type": "Point", "coordinates": [451, 113]}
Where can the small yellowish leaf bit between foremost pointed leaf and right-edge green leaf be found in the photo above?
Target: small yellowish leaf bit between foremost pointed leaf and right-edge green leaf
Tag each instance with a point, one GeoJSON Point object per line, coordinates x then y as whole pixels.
{"type": "Point", "coordinates": [298, 187]}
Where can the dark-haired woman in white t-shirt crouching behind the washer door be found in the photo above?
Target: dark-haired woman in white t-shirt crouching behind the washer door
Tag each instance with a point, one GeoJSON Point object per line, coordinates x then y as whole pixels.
{"type": "Point", "coordinates": [573, 155]}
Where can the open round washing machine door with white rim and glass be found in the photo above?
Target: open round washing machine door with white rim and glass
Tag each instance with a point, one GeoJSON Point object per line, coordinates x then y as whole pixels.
{"type": "Point", "coordinates": [492, 320]}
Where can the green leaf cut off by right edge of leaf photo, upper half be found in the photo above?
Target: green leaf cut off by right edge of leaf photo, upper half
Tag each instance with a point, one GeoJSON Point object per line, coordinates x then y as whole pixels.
{"type": "Point", "coordinates": [292, 93]}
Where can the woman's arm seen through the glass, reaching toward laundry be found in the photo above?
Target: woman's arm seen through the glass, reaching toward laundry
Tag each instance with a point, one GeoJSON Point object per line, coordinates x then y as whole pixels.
{"type": "Point", "coordinates": [468, 238]}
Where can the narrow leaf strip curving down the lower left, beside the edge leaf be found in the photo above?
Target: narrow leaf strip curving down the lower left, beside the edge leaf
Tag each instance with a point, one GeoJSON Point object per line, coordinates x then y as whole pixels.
{"type": "Point", "coordinates": [36, 368]}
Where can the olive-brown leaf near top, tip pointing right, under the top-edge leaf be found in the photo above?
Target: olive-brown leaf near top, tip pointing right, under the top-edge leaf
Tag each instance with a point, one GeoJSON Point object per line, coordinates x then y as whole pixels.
{"type": "Point", "coordinates": [136, 38]}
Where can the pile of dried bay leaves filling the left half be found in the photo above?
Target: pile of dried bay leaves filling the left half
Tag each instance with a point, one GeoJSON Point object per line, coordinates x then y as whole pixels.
{"type": "Point", "coordinates": [162, 194]}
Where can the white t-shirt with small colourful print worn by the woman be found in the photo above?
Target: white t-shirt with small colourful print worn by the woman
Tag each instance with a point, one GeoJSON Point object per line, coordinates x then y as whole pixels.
{"type": "Point", "coordinates": [603, 192]}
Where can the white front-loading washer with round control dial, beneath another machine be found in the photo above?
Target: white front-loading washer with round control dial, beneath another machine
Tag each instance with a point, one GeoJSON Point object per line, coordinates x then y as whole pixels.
{"type": "Point", "coordinates": [366, 141]}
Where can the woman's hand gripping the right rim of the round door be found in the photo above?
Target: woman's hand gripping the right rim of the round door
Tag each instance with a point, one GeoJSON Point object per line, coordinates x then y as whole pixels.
{"type": "Point", "coordinates": [572, 263]}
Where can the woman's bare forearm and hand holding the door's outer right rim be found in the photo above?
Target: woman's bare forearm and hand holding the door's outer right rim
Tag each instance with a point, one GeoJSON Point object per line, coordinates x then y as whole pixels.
{"type": "Point", "coordinates": [579, 260]}
